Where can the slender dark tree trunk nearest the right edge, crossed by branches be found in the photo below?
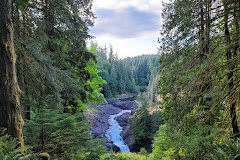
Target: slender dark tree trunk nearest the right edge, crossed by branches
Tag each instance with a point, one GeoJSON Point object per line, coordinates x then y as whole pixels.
{"type": "Point", "coordinates": [230, 70]}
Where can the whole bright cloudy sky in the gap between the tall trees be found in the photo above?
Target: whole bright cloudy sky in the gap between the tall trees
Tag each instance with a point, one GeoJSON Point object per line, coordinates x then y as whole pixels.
{"type": "Point", "coordinates": [131, 26]}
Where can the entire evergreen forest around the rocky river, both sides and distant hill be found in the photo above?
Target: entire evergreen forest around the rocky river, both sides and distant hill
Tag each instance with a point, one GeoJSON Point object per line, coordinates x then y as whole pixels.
{"type": "Point", "coordinates": [189, 95]}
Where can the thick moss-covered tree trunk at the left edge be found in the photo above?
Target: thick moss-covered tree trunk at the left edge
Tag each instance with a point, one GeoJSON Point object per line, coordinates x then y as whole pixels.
{"type": "Point", "coordinates": [10, 111]}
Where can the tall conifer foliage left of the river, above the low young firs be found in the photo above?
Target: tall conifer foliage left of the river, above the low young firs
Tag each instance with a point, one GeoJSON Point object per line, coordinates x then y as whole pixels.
{"type": "Point", "coordinates": [52, 55]}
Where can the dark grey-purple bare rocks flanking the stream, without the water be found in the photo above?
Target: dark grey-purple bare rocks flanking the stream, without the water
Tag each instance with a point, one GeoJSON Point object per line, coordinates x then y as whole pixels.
{"type": "Point", "coordinates": [100, 122]}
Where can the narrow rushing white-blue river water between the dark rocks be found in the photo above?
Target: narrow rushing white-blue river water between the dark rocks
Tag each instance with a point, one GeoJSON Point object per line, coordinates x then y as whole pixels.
{"type": "Point", "coordinates": [114, 131]}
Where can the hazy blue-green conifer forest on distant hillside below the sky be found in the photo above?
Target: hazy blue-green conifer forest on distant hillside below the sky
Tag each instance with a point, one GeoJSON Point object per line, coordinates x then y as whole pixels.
{"type": "Point", "coordinates": [124, 75]}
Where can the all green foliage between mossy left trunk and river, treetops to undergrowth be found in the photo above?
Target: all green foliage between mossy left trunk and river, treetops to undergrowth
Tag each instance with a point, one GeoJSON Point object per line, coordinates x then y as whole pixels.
{"type": "Point", "coordinates": [55, 69]}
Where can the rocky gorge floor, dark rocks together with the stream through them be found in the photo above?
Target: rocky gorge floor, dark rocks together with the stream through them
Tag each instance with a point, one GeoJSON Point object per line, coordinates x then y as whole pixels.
{"type": "Point", "coordinates": [111, 123]}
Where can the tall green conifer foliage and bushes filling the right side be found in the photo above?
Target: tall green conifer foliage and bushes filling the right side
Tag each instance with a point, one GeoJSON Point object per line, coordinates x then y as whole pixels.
{"type": "Point", "coordinates": [198, 75]}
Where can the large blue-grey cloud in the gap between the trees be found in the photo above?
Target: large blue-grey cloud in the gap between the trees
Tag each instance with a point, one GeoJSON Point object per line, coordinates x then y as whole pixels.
{"type": "Point", "coordinates": [126, 23]}
